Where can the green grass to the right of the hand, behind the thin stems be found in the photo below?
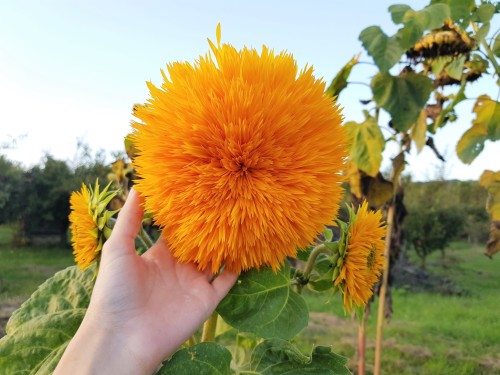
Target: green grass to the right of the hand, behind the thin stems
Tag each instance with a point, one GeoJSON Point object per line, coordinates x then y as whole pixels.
{"type": "Point", "coordinates": [430, 333]}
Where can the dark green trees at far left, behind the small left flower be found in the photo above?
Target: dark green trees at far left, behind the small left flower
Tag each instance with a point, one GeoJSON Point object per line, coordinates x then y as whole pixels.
{"type": "Point", "coordinates": [36, 200]}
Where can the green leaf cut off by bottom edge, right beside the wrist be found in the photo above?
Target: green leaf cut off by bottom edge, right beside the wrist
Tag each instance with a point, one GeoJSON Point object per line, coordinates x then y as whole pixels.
{"type": "Point", "coordinates": [206, 358]}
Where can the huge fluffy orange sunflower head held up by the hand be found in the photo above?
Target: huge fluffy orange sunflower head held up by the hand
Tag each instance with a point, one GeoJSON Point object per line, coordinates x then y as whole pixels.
{"type": "Point", "coordinates": [239, 157]}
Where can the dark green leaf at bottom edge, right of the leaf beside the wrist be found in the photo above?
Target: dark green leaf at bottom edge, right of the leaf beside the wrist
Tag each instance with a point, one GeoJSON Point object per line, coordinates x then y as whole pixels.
{"type": "Point", "coordinates": [276, 357]}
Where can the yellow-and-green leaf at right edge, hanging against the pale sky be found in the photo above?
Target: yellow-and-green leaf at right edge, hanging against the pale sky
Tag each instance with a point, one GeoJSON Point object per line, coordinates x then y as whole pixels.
{"type": "Point", "coordinates": [485, 126]}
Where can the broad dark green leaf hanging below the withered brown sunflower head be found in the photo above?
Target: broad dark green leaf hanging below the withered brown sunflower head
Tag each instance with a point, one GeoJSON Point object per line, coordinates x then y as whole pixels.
{"type": "Point", "coordinates": [403, 97]}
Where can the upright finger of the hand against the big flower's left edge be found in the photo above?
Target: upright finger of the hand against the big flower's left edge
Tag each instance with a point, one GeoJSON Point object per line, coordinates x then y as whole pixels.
{"type": "Point", "coordinates": [129, 221]}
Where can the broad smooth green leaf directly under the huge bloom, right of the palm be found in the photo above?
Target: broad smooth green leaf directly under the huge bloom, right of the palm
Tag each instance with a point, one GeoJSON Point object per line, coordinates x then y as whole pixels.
{"type": "Point", "coordinates": [262, 303]}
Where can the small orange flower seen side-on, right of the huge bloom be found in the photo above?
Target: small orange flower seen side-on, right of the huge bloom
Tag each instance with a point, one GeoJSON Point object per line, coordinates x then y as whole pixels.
{"type": "Point", "coordinates": [363, 260]}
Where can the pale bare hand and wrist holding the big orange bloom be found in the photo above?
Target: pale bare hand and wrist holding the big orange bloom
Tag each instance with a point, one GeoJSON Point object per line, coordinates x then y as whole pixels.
{"type": "Point", "coordinates": [143, 308]}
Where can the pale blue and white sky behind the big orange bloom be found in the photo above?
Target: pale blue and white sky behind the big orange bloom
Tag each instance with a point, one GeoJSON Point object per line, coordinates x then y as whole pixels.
{"type": "Point", "coordinates": [71, 71]}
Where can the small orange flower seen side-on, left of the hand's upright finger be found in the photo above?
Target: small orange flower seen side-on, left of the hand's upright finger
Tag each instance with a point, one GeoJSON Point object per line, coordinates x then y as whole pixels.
{"type": "Point", "coordinates": [88, 223]}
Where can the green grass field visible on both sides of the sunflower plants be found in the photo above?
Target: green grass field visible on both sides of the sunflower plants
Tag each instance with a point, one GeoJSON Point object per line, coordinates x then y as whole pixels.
{"type": "Point", "coordinates": [429, 333]}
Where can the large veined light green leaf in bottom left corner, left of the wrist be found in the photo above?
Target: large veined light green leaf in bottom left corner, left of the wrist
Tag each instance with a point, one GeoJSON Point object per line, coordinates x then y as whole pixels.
{"type": "Point", "coordinates": [40, 330]}
